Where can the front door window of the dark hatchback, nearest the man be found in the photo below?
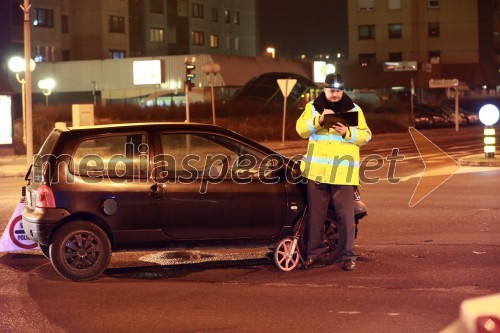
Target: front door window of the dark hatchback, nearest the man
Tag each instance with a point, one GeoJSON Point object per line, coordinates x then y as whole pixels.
{"type": "Point", "coordinates": [207, 155]}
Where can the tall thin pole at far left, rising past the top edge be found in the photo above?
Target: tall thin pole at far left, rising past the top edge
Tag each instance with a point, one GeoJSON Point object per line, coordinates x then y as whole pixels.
{"type": "Point", "coordinates": [27, 58]}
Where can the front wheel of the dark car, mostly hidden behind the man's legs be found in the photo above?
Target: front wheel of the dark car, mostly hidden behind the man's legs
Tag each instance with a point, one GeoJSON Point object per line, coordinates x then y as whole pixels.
{"type": "Point", "coordinates": [334, 238]}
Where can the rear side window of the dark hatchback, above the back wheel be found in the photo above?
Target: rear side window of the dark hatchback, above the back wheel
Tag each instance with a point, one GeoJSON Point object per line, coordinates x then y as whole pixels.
{"type": "Point", "coordinates": [113, 156]}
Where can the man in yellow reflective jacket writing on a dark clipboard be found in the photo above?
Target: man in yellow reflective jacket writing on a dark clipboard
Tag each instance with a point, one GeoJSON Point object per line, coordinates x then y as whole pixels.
{"type": "Point", "coordinates": [331, 166]}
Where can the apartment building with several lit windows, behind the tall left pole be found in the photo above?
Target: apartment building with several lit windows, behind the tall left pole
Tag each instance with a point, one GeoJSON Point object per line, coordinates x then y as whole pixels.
{"type": "Point", "coordinates": [64, 30]}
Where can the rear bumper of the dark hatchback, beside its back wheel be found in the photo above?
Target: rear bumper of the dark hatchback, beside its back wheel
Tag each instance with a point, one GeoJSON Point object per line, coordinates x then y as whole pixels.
{"type": "Point", "coordinates": [39, 223]}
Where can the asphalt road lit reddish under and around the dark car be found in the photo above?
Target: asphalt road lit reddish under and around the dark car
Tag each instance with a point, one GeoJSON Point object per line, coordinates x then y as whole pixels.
{"type": "Point", "coordinates": [416, 265]}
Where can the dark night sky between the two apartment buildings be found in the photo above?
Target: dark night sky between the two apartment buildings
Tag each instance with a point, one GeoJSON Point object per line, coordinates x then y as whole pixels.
{"type": "Point", "coordinates": [294, 27]}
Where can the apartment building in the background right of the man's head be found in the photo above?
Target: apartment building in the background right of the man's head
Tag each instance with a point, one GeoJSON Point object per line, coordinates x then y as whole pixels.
{"type": "Point", "coordinates": [444, 38]}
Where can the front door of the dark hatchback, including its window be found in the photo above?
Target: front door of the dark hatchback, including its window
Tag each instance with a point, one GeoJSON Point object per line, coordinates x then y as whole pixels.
{"type": "Point", "coordinates": [211, 188]}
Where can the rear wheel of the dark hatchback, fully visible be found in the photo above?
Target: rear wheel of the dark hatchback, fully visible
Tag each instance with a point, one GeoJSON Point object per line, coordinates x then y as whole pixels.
{"type": "Point", "coordinates": [80, 251]}
